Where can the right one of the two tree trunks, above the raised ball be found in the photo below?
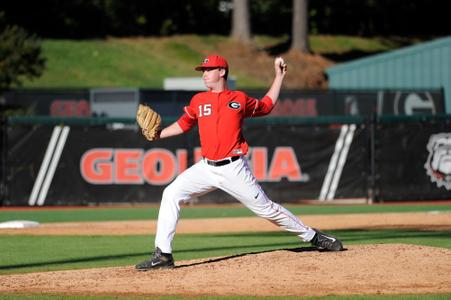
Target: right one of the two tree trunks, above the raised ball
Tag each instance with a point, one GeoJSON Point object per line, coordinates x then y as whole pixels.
{"type": "Point", "coordinates": [300, 26]}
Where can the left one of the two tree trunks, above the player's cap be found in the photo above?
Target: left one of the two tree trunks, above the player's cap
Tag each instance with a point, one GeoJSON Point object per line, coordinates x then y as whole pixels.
{"type": "Point", "coordinates": [241, 28]}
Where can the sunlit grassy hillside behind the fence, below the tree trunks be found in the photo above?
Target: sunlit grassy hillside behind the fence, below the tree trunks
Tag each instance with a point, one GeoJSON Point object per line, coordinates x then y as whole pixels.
{"type": "Point", "coordinates": [145, 62]}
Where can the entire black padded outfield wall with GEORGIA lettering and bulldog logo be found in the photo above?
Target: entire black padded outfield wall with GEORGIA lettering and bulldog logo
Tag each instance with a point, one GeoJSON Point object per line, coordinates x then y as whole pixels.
{"type": "Point", "coordinates": [81, 161]}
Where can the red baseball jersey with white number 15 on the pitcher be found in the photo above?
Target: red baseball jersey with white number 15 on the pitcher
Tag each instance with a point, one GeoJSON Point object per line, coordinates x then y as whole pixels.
{"type": "Point", "coordinates": [220, 118]}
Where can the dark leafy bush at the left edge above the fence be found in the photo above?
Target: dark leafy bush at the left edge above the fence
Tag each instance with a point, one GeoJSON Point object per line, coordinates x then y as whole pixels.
{"type": "Point", "coordinates": [20, 57]}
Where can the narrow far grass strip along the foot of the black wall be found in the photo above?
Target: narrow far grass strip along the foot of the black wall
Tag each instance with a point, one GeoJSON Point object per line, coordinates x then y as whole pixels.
{"type": "Point", "coordinates": [45, 215]}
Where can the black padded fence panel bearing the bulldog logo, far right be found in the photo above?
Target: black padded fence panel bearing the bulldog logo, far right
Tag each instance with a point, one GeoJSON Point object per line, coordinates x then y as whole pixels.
{"type": "Point", "coordinates": [412, 158]}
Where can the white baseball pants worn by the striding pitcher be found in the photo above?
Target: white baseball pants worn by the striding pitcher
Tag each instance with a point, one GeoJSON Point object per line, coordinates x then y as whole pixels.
{"type": "Point", "coordinates": [234, 178]}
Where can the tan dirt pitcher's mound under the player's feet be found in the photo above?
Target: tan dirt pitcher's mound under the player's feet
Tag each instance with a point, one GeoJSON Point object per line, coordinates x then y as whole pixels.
{"type": "Point", "coordinates": [367, 269]}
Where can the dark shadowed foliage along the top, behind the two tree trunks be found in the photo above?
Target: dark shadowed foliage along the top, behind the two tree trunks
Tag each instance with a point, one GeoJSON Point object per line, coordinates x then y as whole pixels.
{"type": "Point", "coordinates": [98, 19]}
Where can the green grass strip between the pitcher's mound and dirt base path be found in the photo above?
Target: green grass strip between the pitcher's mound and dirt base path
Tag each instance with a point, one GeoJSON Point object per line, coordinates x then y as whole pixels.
{"type": "Point", "coordinates": [24, 253]}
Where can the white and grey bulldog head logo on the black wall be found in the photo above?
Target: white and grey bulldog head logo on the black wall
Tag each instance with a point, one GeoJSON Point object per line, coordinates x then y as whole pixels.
{"type": "Point", "coordinates": [438, 164]}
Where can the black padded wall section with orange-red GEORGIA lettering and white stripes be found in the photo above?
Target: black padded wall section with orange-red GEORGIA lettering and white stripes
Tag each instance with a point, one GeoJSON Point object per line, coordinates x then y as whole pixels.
{"type": "Point", "coordinates": [79, 165]}
